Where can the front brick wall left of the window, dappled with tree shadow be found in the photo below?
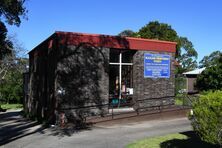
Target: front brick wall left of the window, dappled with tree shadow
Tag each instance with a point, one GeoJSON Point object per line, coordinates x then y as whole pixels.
{"type": "Point", "coordinates": [82, 81]}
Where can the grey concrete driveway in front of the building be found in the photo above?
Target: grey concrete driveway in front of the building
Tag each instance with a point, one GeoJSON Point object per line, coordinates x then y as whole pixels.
{"type": "Point", "coordinates": [34, 136]}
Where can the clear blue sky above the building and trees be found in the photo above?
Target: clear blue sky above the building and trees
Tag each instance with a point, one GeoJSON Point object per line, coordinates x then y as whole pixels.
{"type": "Point", "coordinates": [198, 20]}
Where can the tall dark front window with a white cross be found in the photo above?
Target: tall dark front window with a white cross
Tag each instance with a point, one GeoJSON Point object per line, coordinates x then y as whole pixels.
{"type": "Point", "coordinates": [121, 73]}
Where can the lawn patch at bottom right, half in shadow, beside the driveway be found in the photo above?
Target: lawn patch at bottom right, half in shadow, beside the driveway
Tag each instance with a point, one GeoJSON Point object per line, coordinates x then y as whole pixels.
{"type": "Point", "coordinates": [178, 140]}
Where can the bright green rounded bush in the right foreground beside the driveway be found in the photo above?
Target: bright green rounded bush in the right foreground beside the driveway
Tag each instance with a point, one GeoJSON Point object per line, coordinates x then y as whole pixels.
{"type": "Point", "coordinates": [207, 120]}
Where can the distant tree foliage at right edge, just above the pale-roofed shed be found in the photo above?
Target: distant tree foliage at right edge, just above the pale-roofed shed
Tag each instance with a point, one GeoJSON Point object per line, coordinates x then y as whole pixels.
{"type": "Point", "coordinates": [210, 60]}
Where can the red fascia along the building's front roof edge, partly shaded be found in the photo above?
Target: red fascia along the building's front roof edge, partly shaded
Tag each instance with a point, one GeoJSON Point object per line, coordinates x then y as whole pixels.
{"type": "Point", "coordinates": [70, 38]}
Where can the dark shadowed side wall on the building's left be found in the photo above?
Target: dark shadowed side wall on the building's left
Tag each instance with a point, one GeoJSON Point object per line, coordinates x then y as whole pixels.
{"type": "Point", "coordinates": [41, 101]}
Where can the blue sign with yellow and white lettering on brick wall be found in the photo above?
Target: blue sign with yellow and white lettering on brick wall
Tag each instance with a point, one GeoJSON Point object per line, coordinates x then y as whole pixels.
{"type": "Point", "coordinates": [156, 66]}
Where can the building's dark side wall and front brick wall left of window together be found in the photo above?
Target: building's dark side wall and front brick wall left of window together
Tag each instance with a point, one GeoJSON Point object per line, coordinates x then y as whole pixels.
{"type": "Point", "coordinates": [68, 79]}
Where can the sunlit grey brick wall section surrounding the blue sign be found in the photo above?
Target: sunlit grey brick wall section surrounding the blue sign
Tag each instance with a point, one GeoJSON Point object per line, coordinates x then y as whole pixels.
{"type": "Point", "coordinates": [150, 92]}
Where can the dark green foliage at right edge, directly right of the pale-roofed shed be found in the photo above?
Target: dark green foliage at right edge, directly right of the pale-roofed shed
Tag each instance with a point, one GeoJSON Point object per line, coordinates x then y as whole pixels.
{"type": "Point", "coordinates": [211, 77]}
